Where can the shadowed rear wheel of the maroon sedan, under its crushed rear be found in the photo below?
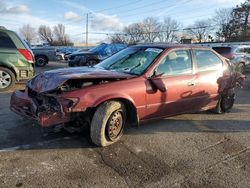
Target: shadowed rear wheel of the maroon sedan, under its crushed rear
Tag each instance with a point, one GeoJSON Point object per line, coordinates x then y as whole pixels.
{"type": "Point", "coordinates": [224, 104]}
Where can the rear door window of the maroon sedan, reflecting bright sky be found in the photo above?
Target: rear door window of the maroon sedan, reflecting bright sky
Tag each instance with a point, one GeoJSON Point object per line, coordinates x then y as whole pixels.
{"type": "Point", "coordinates": [206, 60]}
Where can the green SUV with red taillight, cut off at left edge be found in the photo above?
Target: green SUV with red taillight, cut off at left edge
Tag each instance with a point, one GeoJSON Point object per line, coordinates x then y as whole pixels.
{"type": "Point", "coordinates": [16, 60]}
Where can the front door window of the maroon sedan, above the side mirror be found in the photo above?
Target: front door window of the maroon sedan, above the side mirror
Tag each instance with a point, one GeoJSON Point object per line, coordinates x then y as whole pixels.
{"type": "Point", "coordinates": [177, 62]}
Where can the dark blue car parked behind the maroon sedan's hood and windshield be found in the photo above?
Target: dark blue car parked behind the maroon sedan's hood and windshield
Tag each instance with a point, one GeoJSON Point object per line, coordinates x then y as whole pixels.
{"type": "Point", "coordinates": [94, 55]}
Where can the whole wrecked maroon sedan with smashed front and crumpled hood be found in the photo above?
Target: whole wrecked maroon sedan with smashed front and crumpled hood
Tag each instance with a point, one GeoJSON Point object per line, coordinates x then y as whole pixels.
{"type": "Point", "coordinates": [139, 83]}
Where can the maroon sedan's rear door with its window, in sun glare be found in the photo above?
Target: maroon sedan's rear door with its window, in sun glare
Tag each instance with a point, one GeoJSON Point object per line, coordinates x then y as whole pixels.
{"type": "Point", "coordinates": [209, 68]}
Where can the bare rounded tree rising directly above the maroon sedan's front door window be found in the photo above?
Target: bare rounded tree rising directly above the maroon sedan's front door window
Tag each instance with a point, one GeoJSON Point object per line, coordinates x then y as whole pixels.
{"type": "Point", "coordinates": [169, 29]}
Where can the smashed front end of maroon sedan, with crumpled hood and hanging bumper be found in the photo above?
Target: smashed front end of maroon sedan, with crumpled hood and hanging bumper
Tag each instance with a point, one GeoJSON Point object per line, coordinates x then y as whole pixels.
{"type": "Point", "coordinates": [47, 96]}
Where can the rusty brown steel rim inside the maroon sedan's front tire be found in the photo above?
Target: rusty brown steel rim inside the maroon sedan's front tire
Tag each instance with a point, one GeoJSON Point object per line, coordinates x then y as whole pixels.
{"type": "Point", "coordinates": [115, 125]}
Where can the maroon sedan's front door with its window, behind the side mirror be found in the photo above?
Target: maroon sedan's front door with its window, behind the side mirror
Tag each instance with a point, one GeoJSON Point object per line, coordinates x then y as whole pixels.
{"type": "Point", "coordinates": [179, 80]}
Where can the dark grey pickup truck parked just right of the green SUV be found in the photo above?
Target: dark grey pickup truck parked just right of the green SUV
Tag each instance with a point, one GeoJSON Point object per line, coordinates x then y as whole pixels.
{"type": "Point", "coordinates": [43, 55]}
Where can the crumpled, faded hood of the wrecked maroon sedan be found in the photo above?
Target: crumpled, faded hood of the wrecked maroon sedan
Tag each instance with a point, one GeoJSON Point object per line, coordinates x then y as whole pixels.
{"type": "Point", "coordinates": [51, 80]}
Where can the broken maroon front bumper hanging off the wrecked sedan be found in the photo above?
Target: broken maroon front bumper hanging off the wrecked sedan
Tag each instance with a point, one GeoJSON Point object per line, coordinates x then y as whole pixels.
{"type": "Point", "coordinates": [23, 105]}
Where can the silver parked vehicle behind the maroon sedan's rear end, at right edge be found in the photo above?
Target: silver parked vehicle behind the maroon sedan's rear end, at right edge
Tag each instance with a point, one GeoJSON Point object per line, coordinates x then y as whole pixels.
{"type": "Point", "coordinates": [238, 55]}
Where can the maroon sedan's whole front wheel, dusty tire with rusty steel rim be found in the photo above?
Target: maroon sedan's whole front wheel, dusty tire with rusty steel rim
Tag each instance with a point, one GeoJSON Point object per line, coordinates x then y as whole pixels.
{"type": "Point", "coordinates": [110, 114]}
